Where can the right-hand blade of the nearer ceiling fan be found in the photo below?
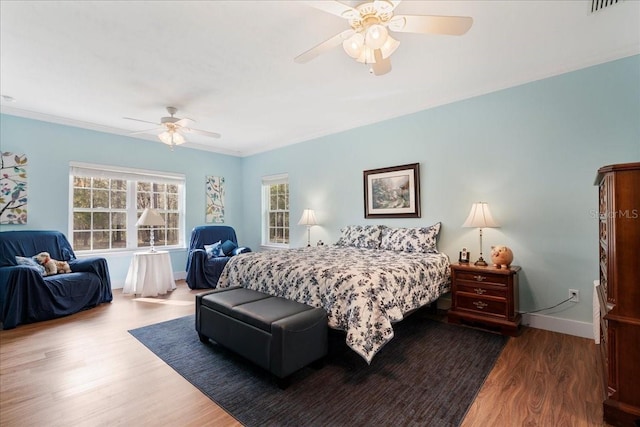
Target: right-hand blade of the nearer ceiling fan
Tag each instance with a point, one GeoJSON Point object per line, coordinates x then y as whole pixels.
{"type": "Point", "coordinates": [431, 24]}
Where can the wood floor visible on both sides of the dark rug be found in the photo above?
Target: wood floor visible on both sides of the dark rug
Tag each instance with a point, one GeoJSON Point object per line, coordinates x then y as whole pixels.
{"type": "Point", "coordinates": [86, 369]}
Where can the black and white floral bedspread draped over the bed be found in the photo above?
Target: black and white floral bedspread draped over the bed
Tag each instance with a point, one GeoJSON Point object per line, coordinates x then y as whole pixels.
{"type": "Point", "coordinates": [364, 291]}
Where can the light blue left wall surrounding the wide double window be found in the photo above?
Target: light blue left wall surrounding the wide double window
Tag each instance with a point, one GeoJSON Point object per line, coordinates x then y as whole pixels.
{"type": "Point", "coordinates": [50, 148]}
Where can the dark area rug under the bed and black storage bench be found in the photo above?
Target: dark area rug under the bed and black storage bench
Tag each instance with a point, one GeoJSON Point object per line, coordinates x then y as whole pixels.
{"type": "Point", "coordinates": [428, 375]}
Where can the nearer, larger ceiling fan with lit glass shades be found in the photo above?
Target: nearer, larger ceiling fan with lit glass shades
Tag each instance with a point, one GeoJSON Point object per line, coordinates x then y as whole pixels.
{"type": "Point", "coordinates": [368, 40]}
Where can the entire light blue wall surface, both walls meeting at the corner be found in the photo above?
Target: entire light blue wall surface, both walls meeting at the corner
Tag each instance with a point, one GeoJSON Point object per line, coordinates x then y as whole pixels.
{"type": "Point", "coordinates": [531, 151]}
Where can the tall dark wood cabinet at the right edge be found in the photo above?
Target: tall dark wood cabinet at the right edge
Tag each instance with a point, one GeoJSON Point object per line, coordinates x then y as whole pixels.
{"type": "Point", "coordinates": [619, 291]}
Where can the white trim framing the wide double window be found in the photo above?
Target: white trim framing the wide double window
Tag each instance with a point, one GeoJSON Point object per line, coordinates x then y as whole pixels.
{"type": "Point", "coordinates": [118, 172]}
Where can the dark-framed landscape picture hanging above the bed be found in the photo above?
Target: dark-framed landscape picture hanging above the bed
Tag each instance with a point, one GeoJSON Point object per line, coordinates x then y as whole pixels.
{"type": "Point", "coordinates": [392, 192]}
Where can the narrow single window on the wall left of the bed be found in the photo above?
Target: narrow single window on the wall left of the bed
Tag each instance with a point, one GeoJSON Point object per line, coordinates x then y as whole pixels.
{"type": "Point", "coordinates": [275, 202]}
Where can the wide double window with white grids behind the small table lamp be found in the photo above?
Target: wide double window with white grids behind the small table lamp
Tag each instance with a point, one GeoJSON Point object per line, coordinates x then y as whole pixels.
{"type": "Point", "coordinates": [107, 201]}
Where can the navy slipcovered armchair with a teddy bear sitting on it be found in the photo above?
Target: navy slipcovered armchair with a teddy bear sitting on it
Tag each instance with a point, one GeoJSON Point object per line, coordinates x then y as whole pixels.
{"type": "Point", "coordinates": [26, 296]}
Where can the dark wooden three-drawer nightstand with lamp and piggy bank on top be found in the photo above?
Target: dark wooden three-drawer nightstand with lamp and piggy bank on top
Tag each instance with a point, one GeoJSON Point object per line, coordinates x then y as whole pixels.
{"type": "Point", "coordinates": [487, 296]}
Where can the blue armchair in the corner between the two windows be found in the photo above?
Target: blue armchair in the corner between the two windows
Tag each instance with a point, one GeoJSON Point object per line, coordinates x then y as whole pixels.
{"type": "Point", "coordinates": [210, 248]}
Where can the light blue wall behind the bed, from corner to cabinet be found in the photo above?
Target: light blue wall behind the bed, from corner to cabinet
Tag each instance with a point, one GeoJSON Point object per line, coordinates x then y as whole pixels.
{"type": "Point", "coordinates": [531, 152]}
